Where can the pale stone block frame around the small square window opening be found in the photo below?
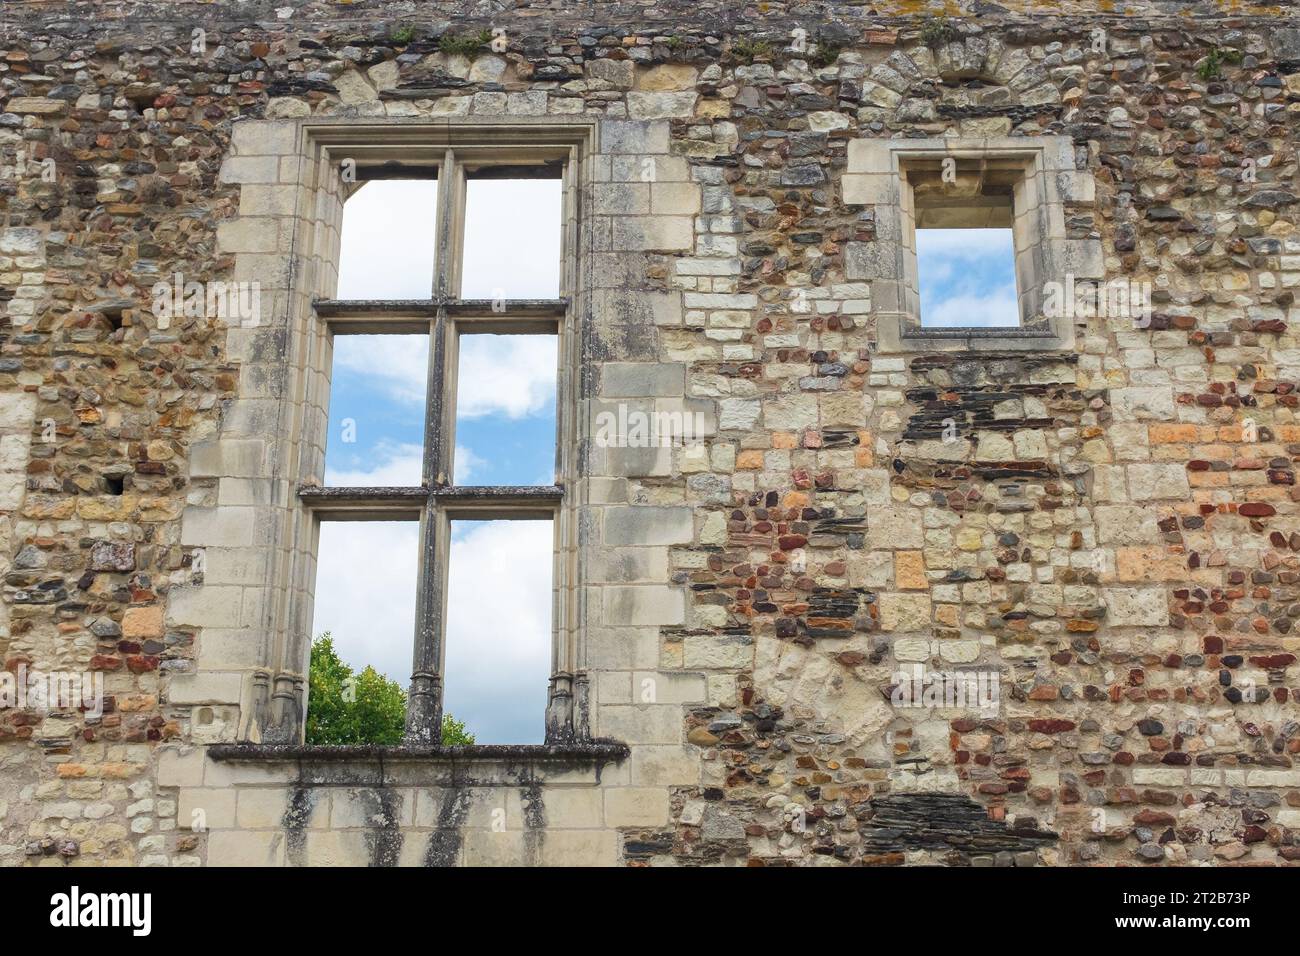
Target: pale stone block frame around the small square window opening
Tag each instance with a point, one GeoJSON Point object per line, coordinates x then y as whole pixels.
{"type": "Point", "coordinates": [1045, 253]}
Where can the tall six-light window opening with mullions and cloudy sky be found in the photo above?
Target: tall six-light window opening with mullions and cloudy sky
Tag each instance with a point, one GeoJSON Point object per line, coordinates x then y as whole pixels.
{"type": "Point", "coordinates": [437, 509]}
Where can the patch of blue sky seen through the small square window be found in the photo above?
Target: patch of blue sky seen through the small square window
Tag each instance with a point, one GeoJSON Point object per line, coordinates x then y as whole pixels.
{"type": "Point", "coordinates": [968, 278]}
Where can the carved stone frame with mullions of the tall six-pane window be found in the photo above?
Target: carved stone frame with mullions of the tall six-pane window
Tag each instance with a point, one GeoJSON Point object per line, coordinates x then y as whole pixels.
{"type": "Point", "coordinates": [388, 150]}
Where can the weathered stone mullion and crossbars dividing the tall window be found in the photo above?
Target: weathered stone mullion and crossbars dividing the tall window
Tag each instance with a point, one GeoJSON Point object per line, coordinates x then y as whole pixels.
{"type": "Point", "coordinates": [444, 317]}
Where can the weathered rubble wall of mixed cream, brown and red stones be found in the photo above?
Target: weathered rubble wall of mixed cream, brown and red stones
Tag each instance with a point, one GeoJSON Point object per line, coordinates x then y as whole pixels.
{"type": "Point", "coordinates": [1115, 533]}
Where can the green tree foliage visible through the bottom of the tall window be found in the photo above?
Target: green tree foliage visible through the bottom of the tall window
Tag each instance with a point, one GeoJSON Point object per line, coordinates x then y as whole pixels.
{"type": "Point", "coordinates": [367, 708]}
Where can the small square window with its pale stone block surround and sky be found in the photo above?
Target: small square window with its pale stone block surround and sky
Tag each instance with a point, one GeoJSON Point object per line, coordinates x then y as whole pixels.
{"type": "Point", "coordinates": [969, 235]}
